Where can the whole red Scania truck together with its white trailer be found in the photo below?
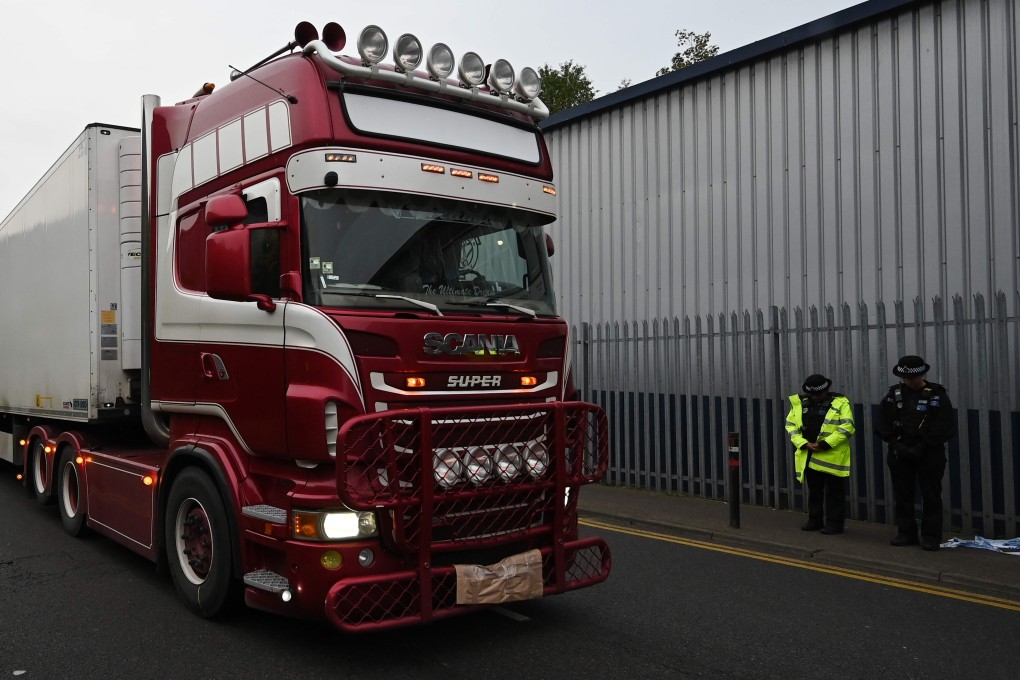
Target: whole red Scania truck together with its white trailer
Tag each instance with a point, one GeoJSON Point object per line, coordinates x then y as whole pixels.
{"type": "Point", "coordinates": [296, 339]}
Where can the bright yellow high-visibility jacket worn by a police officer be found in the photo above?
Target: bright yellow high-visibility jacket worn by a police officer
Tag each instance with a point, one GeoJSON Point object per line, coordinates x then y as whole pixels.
{"type": "Point", "coordinates": [837, 431]}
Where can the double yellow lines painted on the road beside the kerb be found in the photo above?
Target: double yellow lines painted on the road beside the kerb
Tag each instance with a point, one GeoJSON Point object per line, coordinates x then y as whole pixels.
{"type": "Point", "coordinates": [826, 569]}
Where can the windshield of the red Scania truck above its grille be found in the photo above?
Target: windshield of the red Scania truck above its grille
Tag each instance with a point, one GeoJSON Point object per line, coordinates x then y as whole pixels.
{"type": "Point", "coordinates": [384, 250]}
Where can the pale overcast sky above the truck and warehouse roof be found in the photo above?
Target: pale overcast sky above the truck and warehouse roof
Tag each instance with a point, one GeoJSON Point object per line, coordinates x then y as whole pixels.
{"type": "Point", "coordinates": [68, 64]}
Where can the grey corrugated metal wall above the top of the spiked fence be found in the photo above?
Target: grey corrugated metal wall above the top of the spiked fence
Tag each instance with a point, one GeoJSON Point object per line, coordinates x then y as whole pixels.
{"type": "Point", "coordinates": [878, 164]}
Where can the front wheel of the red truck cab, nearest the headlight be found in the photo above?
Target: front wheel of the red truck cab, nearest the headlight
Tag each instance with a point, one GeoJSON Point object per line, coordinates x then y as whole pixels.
{"type": "Point", "coordinates": [198, 545]}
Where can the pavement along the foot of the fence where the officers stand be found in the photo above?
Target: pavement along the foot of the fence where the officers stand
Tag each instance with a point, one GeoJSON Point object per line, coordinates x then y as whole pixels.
{"type": "Point", "coordinates": [864, 546]}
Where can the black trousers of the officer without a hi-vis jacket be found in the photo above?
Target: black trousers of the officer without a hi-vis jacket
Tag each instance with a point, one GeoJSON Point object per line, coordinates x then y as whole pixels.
{"type": "Point", "coordinates": [926, 474]}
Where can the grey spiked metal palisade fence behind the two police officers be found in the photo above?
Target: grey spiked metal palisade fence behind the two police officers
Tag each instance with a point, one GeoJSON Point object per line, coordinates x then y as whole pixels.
{"type": "Point", "coordinates": [674, 389]}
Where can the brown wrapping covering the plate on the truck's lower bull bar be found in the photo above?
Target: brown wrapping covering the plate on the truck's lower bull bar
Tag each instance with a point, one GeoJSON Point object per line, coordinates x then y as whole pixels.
{"type": "Point", "coordinates": [516, 579]}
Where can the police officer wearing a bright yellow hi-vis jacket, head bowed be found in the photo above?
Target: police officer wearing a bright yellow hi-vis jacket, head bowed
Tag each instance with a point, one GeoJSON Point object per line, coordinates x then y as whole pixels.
{"type": "Point", "coordinates": [821, 425]}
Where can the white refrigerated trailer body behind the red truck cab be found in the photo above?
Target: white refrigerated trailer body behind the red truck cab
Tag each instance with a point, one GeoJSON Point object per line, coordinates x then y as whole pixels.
{"type": "Point", "coordinates": [70, 289]}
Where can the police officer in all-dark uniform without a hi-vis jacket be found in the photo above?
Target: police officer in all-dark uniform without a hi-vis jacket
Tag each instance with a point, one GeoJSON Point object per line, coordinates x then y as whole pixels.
{"type": "Point", "coordinates": [916, 420]}
